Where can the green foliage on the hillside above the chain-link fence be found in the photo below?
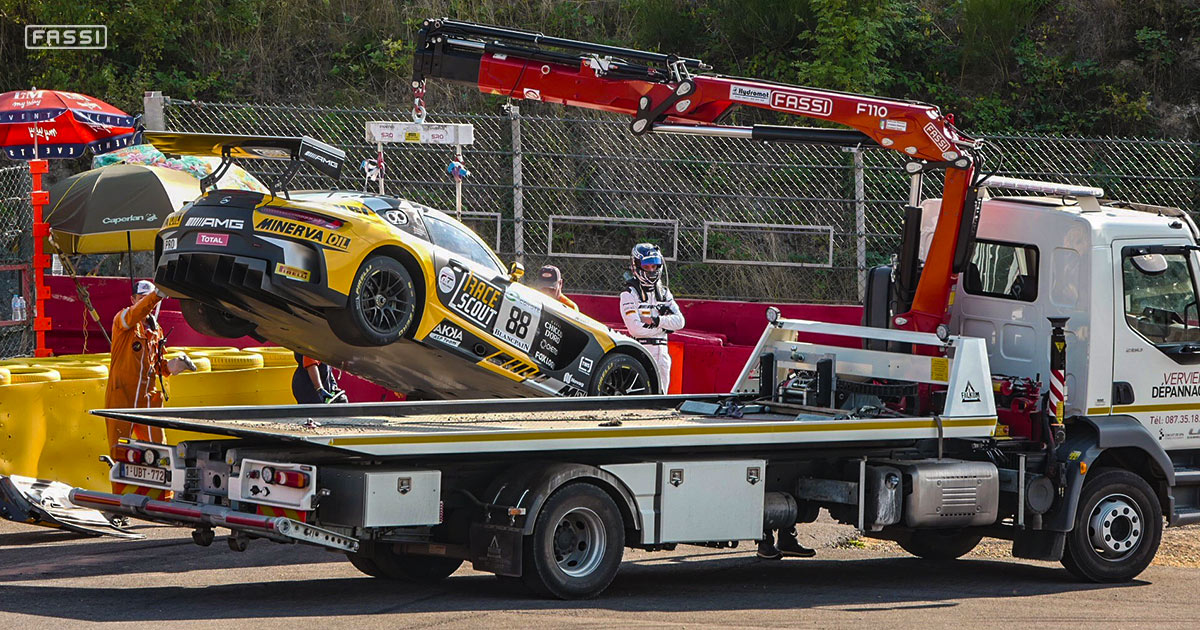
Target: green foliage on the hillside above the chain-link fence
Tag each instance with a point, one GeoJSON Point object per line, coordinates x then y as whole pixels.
{"type": "Point", "coordinates": [1053, 67]}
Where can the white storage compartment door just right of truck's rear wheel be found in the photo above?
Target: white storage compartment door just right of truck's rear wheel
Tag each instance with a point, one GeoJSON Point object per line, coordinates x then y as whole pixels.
{"type": "Point", "coordinates": [705, 501]}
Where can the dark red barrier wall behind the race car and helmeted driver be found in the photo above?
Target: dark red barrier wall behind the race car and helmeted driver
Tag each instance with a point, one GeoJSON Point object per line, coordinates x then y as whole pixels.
{"type": "Point", "coordinates": [709, 355]}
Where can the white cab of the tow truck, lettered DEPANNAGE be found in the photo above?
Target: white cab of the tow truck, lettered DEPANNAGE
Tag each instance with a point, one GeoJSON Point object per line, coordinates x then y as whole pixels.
{"type": "Point", "coordinates": [1125, 275]}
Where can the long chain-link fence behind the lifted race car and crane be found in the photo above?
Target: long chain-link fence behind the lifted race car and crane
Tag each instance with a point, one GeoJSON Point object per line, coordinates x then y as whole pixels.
{"type": "Point", "coordinates": [737, 220]}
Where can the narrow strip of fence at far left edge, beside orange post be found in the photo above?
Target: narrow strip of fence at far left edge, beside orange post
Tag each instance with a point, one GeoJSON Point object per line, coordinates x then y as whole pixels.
{"type": "Point", "coordinates": [16, 254]}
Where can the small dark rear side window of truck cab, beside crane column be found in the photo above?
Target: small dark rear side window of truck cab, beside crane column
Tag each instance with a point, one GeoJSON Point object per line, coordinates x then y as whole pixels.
{"type": "Point", "coordinates": [1003, 271]}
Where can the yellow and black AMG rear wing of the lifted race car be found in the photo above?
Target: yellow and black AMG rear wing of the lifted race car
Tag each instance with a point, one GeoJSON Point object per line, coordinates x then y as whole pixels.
{"type": "Point", "coordinates": [299, 151]}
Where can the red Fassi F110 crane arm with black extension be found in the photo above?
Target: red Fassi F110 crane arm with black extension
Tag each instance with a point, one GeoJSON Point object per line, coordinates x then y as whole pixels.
{"type": "Point", "coordinates": [667, 94]}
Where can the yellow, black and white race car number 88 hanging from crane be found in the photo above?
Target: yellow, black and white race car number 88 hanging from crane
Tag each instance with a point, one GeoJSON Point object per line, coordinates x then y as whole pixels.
{"type": "Point", "coordinates": [386, 289]}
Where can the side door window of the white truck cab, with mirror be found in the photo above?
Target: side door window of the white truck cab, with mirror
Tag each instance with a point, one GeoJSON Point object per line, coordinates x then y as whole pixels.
{"type": "Point", "coordinates": [1160, 299]}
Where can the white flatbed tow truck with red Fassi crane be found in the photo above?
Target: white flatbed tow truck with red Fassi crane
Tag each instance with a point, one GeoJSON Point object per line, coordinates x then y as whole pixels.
{"type": "Point", "coordinates": [928, 428]}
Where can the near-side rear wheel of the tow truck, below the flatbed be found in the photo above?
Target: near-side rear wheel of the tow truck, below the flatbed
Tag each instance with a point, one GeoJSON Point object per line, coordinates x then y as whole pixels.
{"type": "Point", "coordinates": [577, 544]}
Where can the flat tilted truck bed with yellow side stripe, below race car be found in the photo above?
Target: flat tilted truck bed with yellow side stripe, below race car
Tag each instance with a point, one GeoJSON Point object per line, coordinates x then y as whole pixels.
{"type": "Point", "coordinates": [464, 428]}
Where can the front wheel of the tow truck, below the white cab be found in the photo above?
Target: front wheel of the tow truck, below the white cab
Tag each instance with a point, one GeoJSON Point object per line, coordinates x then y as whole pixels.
{"type": "Point", "coordinates": [1119, 526]}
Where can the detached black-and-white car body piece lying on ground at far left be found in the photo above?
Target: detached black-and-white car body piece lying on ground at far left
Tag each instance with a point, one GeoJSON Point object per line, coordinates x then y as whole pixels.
{"type": "Point", "coordinates": [43, 503]}
